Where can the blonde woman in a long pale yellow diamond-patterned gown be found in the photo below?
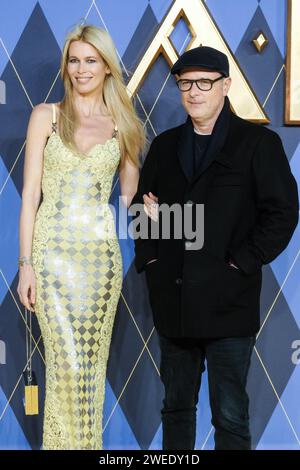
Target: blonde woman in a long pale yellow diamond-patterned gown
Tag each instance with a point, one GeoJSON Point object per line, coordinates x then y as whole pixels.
{"type": "Point", "coordinates": [70, 262]}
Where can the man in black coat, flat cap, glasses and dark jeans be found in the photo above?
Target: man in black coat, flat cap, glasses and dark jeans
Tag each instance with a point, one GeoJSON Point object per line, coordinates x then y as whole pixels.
{"type": "Point", "coordinates": [205, 299]}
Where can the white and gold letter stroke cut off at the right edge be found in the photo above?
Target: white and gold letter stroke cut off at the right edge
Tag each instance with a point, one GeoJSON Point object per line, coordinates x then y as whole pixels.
{"type": "Point", "coordinates": [292, 89]}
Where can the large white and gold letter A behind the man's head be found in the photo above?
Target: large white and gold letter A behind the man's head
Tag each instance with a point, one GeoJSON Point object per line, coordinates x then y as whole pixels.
{"type": "Point", "coordinates": [205, 32]}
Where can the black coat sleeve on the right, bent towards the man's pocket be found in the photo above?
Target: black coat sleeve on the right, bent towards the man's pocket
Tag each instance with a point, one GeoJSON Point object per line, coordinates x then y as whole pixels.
{"type": "Point", "coordinates": [277, 206]}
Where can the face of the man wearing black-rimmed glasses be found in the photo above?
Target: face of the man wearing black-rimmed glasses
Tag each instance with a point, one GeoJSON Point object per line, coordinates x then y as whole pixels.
{"type": "Point", "coordinates": [203, 106]}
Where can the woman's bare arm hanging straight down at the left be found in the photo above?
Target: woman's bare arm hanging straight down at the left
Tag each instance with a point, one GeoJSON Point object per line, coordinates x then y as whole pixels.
{"type": "Point", "coordinates": [38, 130]}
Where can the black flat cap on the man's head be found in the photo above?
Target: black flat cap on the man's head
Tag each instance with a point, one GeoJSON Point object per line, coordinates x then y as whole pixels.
{"type": "Point", "coordinates": [203, 57]}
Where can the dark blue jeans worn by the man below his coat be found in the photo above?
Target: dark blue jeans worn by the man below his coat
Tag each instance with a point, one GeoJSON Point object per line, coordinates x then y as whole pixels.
{"type": "Point", "coordinates": [182, 364]}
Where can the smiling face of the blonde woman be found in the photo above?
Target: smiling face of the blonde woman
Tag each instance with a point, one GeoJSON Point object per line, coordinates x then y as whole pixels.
{"type": "Point", "coordinates": [86, 68]}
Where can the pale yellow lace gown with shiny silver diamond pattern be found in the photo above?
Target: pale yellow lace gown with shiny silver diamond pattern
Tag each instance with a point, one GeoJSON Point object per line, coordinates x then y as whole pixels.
{"type": "Point", "coordinates": [78, 268]}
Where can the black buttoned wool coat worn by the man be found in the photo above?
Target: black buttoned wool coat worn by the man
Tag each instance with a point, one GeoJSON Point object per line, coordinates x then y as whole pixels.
{"type": "Point", "coordinates": [250, 212]}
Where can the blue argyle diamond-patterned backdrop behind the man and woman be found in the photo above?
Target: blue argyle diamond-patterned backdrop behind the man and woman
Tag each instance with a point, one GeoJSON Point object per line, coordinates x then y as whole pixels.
{"type": "Point", "coordinates": [31, 38]}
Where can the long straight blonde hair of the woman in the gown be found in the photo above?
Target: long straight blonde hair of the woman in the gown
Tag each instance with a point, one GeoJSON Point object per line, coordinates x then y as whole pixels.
{"type": "Point", "coordinates": [130, 129]}
